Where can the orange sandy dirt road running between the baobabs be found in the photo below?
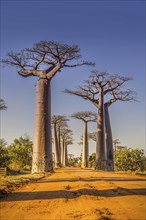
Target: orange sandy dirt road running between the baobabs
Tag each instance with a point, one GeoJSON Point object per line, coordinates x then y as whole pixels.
{"type": "Point", "coordinates": [74, 193]}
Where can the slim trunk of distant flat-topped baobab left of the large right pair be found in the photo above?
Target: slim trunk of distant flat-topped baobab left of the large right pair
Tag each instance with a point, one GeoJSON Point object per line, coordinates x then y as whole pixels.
{"type": "Point", "coordinates": [85, 147]}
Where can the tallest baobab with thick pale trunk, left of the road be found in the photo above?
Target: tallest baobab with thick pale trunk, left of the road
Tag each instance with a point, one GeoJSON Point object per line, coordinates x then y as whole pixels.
{"type": "Point", "coordinates": [44, 60]}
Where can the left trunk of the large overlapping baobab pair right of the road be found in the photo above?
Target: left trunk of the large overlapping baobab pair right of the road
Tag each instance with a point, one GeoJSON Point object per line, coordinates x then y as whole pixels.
{"type": "Point", "coordinates": [100, 143]}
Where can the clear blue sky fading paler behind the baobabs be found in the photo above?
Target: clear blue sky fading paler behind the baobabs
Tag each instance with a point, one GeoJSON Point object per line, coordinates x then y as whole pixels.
{"type": "Point", "coordinates": [109, 33]}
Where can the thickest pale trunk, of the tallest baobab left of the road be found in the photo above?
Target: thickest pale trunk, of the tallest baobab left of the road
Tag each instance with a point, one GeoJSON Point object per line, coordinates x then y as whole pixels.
{"type": "Point", "coordinates": [42, 148]}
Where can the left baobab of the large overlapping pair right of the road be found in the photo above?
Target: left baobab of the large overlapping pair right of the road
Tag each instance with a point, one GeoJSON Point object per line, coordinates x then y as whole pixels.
{"type": "Point", "coordinates": [96, 87]}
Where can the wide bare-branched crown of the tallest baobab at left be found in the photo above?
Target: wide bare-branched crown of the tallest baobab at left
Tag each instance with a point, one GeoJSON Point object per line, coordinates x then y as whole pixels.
{"type": "Point", "coordinates": [52, 55]}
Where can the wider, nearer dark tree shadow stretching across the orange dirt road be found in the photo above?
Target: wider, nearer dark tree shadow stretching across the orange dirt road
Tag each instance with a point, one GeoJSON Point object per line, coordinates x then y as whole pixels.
{"type": "Point", "coordinates": [68, 194]}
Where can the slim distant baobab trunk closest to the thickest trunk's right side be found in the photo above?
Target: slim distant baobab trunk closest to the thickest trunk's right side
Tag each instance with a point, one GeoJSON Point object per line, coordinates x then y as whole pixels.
{"type": "Point", "coordinates": [56, 149]}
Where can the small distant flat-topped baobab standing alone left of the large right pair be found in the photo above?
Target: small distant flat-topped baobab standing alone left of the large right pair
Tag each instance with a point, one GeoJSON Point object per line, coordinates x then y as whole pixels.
{"type": "Point", "coordinates": [86, 117]}
